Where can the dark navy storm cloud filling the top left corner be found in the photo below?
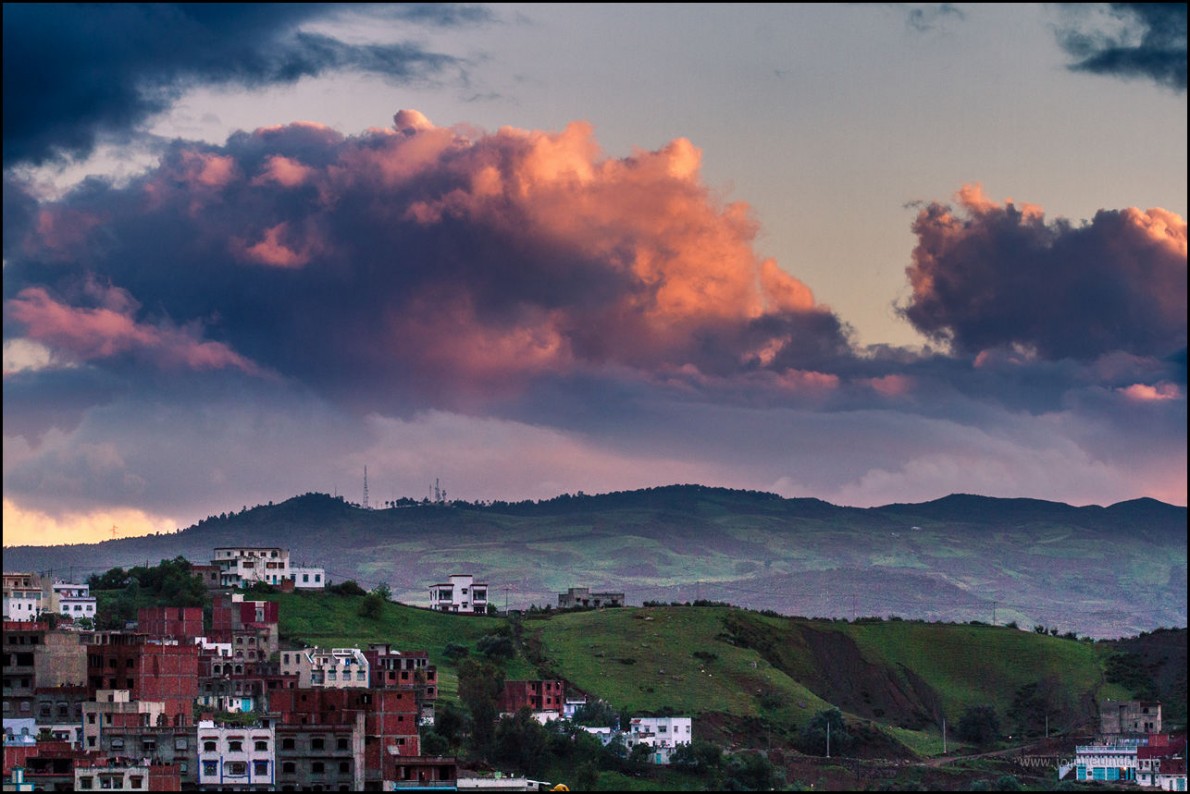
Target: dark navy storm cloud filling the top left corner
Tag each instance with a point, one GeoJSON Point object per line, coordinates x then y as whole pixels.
{"type": "Point", "coordinates": [77, 73]}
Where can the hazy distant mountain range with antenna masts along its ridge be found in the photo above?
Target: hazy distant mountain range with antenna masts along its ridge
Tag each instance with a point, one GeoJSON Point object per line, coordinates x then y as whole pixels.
{"type": "Point", "coordinates": [1104, 572]}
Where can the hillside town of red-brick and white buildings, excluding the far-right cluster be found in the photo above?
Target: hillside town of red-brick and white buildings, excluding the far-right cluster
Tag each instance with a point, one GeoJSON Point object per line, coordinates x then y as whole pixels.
{"type": "Point", "coordinates": [170, 705]}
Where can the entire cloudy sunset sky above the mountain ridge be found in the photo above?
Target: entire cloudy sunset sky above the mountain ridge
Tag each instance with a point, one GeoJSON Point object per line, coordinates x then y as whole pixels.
{"type": "Point", "coordinates": [867, 253]}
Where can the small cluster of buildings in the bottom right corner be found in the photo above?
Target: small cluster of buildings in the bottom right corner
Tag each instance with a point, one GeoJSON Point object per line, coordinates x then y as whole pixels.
{"type": "Point", "coordinates": [1131, 748]}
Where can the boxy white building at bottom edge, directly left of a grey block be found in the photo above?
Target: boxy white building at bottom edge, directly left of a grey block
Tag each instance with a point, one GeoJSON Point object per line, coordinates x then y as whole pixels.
{"type": "Point", "coordinates": [233, 757]}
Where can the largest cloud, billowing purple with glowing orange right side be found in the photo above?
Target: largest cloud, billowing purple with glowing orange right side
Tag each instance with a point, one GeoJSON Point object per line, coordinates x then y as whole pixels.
{"type": "Point", "coordinates": [443, 265]}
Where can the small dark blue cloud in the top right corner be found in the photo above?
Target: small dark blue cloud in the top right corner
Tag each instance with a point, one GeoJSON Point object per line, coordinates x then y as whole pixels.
{"type": "Point", "coordinates": [1129, 40]}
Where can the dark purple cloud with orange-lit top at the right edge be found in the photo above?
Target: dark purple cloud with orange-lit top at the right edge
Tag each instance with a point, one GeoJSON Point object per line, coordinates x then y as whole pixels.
{"type": "Point", "coordinates": [991, 276]}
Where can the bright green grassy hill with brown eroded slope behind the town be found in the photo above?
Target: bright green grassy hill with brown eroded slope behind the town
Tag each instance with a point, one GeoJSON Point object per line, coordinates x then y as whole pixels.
{"type": "Point", "coordinates": [744, 672]}
